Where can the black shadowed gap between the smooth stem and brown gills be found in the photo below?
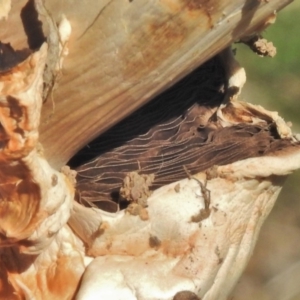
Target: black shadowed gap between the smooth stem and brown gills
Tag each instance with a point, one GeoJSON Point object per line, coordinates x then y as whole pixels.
{"type": "Point", "coordinates": [197, 87]}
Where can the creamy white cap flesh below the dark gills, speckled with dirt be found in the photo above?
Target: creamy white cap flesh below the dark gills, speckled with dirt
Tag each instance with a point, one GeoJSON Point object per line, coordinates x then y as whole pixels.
{"type": "Point", "coordinates": [205, 257]}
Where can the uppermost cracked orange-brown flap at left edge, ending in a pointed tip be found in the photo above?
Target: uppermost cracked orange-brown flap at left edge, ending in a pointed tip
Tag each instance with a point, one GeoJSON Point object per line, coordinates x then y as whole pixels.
{"type": "Point", "coordinates": [19, 121]}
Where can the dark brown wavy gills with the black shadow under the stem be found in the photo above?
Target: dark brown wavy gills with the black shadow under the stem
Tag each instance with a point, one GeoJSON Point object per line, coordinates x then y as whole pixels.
{"type": "Point", "coordinates": [176, 132]}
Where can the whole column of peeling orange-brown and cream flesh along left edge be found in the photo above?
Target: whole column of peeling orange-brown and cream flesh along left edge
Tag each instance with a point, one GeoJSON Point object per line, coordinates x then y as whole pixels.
{"type": "Point", "coordinates": [38, 252]}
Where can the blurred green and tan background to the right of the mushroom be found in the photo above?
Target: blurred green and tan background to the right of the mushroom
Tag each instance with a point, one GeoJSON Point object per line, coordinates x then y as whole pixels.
{"type": "Point", "coordinates": [274, 269]}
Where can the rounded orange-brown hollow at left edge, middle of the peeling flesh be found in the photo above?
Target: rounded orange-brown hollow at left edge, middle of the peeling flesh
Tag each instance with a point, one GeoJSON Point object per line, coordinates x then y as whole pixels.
{"type": "Point", "coordinates": [19, 203]}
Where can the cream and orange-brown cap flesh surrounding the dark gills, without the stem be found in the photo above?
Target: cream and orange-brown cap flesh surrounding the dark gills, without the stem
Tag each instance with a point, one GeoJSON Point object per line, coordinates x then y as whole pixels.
{"type": "Point", "coordinates": [196, 234]}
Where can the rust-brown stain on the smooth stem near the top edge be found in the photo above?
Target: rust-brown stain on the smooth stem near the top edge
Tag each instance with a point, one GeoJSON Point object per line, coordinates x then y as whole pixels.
{"type": "Point", "coordinates": [165, 31]}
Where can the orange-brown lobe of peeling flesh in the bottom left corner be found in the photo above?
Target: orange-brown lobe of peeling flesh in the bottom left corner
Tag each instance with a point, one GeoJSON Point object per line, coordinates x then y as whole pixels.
{"type": "Point", "coordinates": [47, 282]}
